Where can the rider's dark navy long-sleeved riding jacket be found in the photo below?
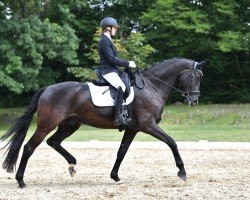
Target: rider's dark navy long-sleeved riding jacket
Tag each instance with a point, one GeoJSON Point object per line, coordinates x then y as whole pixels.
{"type": "Point", "coordinates": [108, 57]}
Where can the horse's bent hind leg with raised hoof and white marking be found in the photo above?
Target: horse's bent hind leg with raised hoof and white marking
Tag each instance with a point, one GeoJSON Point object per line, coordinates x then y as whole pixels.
{"type": "Point", "coordinates": [65, 129]}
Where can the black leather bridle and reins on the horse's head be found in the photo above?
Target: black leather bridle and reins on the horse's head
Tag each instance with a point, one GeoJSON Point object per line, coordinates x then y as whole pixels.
{"type": "Point", "coordinates": [183, 93]}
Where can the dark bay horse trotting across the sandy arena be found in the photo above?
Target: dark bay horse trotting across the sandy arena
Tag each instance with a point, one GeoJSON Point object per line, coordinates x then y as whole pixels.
{"type": "Point", "coordinates": [68, 105]}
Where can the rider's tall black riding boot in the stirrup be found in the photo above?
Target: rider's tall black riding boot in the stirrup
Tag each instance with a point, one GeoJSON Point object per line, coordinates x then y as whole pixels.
{"type": "Point", "coordinates": [120, 119]}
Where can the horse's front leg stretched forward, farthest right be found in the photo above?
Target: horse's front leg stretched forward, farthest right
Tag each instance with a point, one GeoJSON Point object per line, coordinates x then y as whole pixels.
{"type": "Point", "coordinates": [155, 131]}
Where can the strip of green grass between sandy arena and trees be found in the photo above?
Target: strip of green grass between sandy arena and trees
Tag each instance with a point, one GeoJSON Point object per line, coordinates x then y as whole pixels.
{"type": "Point", "coordinates": [204, 122]}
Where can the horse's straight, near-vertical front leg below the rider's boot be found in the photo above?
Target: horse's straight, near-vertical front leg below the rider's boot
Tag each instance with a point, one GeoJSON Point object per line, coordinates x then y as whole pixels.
{"type": "Point", "coordinates": [126, 141]}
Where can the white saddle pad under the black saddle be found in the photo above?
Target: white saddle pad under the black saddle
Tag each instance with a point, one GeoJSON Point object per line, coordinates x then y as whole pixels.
{"type": "Point", "coordinates": [101, 95]}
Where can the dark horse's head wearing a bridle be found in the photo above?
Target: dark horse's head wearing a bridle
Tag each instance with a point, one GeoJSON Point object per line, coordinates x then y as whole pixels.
{"type": "Point", "coordinates": [190, 80]}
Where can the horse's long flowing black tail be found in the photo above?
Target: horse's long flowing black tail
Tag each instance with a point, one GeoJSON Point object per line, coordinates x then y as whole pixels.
{"type": "Point", "coordinates": [18, 132]}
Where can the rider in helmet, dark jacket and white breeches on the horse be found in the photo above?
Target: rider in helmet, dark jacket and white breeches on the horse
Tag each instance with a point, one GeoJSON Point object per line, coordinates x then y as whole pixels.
{"type": "Point", "coordinates": [109, 65]}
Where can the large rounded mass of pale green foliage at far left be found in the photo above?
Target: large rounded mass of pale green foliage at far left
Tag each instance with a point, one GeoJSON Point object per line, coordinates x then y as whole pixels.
{"type": "Point", "coordinates": [26, 45]}
